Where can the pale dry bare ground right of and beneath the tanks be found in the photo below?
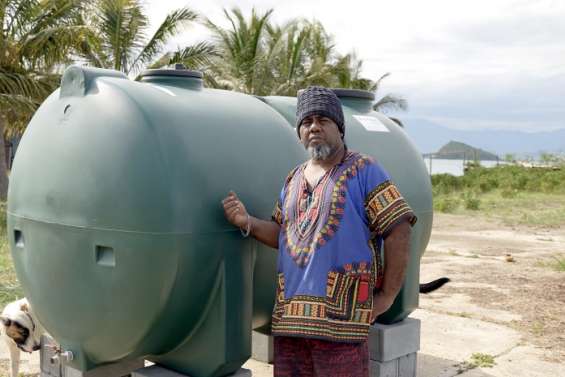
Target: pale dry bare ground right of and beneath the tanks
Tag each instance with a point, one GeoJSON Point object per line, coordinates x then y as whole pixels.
{"type": "Point", "coordinates": [502, 287]}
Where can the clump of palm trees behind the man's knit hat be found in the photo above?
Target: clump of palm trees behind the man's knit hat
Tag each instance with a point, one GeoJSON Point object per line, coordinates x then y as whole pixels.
{"type": "Point", "coordinates": [260, 58]}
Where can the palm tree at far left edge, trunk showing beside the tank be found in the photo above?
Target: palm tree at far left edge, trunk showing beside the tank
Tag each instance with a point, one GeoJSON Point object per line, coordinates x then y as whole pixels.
{"type": "Point", "coordinates": [36, 37]}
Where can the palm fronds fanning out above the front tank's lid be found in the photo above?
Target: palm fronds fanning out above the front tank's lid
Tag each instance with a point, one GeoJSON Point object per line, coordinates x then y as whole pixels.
{"type": "Point", "coordinates": [122, 43]}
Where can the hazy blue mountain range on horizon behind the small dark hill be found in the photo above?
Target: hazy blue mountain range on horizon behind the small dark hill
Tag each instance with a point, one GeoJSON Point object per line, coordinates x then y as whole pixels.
{"type": "Point", "coordinates": [429, 137]}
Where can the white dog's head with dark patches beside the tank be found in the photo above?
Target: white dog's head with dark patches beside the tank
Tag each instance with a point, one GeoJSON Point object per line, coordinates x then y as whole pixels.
{"type": "Point", "coordinates": [20, 326]}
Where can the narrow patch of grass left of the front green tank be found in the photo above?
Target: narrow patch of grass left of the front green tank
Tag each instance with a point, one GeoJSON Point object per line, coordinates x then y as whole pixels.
{"type": "Point", "coordinates": [10, 289]}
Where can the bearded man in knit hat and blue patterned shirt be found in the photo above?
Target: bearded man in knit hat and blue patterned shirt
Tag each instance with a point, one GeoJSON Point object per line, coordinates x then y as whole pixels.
{"type": "Point", "coordinates": [329, 224]}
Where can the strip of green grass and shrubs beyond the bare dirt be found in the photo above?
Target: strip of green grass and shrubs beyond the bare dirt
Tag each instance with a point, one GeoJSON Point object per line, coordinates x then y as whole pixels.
{"type": "Point", "coordinates": [515, 195]}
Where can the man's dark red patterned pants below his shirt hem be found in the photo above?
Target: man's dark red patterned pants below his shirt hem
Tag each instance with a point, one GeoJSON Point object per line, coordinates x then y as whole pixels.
{"type": "Point", "coordinates": [302, 357]}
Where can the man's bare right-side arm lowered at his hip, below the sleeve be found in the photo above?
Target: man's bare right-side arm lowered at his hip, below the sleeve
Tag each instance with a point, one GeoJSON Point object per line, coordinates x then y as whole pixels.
{"type": "Point", "coordinates": [397, 252]}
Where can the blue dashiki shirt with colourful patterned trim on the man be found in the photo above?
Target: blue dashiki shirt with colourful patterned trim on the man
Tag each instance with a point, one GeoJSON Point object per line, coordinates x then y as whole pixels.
{"type": "Point", "coordinates": [330, 249]}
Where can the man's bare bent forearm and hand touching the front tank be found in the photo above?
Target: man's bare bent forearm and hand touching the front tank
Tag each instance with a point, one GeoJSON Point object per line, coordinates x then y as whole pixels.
{"type": "Point", "coordinates": [266, 232]}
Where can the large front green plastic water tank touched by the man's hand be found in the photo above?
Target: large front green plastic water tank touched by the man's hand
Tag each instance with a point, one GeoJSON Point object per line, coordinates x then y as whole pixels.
{"type": "Point", "coordinates": [116, 225]}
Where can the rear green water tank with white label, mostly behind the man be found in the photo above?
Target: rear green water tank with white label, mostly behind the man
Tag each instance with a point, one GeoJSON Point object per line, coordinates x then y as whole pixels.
{"type": "Point", "coordinates": [376, 135]}
